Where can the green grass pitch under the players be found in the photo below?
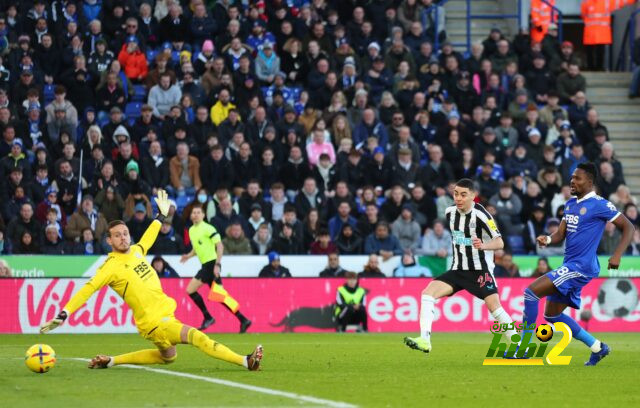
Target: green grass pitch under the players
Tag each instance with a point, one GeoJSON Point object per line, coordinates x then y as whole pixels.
{"type": "Point", "coordinates": [366, 370]}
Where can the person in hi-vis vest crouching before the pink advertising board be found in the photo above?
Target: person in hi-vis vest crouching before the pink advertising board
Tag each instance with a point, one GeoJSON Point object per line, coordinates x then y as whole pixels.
{"type": "Point", "coordinates": [350, 305]}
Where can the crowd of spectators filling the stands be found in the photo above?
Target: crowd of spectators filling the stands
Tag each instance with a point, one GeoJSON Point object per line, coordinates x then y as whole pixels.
{"type": "Point", "coordinates": [302, 127]}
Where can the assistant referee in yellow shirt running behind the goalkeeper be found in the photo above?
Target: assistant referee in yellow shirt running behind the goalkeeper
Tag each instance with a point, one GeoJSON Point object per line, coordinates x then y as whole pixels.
{"type": "Point", "coordinates": [207, 245]}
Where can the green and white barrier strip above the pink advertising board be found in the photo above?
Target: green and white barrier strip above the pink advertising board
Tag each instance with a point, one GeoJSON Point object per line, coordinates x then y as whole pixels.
{"type": "Point", "coordinates": [240, 266]}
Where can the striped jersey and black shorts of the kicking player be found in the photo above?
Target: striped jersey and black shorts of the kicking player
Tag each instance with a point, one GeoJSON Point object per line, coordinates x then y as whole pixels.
{"type": "Point", "coordinates": [471, 269]}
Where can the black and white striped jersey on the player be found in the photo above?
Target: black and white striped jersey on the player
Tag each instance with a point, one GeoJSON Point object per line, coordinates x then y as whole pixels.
{"type": "Point", "coordinates": [476, 223]}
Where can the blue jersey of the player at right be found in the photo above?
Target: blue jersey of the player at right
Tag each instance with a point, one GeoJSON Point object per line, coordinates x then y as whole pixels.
{"type": "Point", "coordinates": [586, 219]}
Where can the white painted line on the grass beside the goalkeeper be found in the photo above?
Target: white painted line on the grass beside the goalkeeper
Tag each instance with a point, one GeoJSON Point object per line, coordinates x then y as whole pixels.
{"type": "Point", "coordinates": [233, 384]}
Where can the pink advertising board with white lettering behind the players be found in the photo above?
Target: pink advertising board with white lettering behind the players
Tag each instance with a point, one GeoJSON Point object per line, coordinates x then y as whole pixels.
{"type": "Point", "coordinates": [292, 305]}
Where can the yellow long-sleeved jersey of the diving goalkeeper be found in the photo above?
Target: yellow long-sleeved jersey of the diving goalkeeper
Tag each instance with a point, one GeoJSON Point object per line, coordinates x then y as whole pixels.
{"type": "Point", "coordinates": [135, 280]}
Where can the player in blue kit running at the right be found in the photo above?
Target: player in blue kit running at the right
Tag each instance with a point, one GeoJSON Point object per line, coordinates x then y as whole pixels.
{"type": "Point", "coordinates": [585, 216]}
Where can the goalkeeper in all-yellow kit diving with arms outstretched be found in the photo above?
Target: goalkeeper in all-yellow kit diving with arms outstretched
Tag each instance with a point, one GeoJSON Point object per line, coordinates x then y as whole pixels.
{"type": "Point", "coordinates": [127, 272]}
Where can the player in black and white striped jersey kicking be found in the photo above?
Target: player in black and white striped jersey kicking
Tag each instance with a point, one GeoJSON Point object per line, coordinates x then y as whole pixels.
{"type": "Point", "coordinates": [474, 238]}
